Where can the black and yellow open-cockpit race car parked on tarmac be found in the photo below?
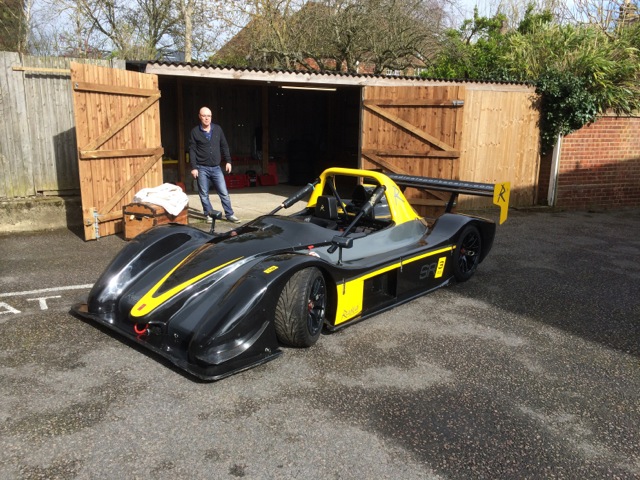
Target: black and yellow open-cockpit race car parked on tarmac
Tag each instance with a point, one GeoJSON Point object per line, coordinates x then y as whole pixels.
{"type": "Point", "coordinates": [217, 304]}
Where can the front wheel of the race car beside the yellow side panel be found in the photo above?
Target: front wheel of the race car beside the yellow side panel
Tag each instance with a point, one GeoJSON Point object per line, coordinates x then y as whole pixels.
{"type": "Point", "coordinates": [301, 308]}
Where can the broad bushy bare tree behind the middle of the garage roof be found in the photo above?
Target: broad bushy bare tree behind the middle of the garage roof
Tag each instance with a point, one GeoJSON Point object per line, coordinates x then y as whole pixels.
{"type": "Point", "coordinates": [338, 34]}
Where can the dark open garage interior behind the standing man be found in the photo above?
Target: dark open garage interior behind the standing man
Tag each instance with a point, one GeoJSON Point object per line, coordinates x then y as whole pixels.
{"type": "Point", "coordinates": [303, 130]}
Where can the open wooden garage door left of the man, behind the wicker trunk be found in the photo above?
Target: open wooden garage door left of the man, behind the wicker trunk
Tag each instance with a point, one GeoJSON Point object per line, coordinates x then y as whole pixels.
{"type": "Point", "coordinates": [117, 119]}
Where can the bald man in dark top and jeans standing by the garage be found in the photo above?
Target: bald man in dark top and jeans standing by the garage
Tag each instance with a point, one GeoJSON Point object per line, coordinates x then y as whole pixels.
{"type": "Point", "coordinates": [207, 146]}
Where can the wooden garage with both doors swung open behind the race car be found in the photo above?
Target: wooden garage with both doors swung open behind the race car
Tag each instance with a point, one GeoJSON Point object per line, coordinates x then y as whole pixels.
{"type": "Point", "coordinates": [288, 126]}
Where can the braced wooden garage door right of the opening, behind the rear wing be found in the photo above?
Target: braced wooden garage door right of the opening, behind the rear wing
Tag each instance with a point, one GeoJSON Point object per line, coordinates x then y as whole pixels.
{"type": "Point", "coordinates": [414, 131]}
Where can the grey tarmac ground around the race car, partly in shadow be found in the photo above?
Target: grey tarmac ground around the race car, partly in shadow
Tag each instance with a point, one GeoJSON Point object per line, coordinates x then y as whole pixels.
{"type": "Point", "coordinates": [528, 370]}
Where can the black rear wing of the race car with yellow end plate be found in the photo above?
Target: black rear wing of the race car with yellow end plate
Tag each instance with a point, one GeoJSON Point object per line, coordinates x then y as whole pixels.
{"type": "Point", "coordinates": [499, 191]}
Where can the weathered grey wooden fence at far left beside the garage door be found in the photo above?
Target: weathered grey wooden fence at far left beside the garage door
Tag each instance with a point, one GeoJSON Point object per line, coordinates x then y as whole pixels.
{"type": "Point", "coordinates": [37, 131]}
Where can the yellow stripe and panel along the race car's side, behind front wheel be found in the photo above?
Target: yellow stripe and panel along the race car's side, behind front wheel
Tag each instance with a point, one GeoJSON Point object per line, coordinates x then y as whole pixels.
{"type": "Point", "coordinates": [350, 294]}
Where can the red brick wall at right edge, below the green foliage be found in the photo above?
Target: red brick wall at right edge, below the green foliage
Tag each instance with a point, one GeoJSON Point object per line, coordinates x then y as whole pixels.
{"type": "Point", "coordinates": [600, 165]}
